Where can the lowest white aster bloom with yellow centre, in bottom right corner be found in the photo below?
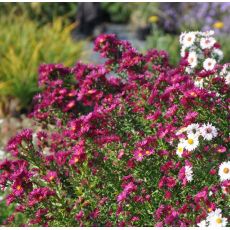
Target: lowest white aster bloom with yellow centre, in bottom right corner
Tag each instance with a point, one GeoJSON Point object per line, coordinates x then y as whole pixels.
{"type": "Point", "coordinates": [215, 219]}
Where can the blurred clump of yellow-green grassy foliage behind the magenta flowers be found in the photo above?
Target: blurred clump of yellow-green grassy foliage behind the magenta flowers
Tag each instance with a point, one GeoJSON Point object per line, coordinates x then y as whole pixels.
{"type": "Point", "coordinates": [23, 47]}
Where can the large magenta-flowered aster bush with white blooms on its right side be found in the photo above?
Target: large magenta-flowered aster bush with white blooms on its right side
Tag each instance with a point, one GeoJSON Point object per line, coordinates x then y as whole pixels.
{"type": "Point", "coordinates": [132, 142]}
